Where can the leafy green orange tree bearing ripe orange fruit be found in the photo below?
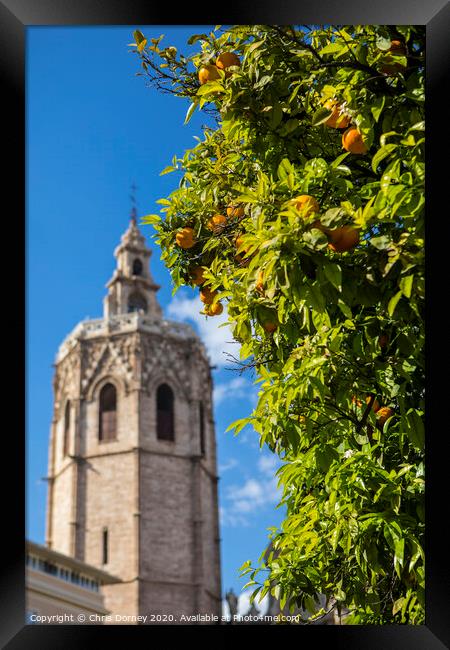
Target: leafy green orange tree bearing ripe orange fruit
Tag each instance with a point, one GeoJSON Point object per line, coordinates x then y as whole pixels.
{"type": "Point", "coordinates": [302, 208]}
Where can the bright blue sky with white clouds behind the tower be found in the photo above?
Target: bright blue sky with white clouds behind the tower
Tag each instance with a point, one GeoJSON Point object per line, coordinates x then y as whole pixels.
{"type": "Point", "coordinates": [93, 127]}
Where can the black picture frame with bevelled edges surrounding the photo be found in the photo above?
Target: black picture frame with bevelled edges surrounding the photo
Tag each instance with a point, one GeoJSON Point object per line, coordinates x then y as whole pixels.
{"type": "Point", "coordinates": [15, 17]}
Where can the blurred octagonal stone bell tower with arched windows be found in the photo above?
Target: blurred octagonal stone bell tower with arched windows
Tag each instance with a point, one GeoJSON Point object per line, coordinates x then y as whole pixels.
{"type": "Point", "coordinates": [132, 455]}
